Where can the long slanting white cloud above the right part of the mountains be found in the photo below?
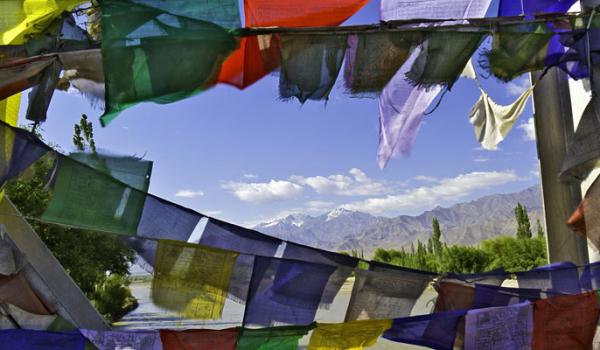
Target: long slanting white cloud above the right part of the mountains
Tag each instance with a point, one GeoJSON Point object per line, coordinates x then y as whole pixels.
{"type": "Point", "coordinates": [425, 197]}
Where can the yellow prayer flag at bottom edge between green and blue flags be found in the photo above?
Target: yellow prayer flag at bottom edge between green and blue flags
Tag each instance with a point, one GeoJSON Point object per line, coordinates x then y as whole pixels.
{"type": "Point", "coordinates": [355, 335]}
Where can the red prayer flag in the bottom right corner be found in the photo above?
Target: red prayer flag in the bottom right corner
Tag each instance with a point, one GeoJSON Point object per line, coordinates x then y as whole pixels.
{"type": "Point", "coordinates": [565, 322]}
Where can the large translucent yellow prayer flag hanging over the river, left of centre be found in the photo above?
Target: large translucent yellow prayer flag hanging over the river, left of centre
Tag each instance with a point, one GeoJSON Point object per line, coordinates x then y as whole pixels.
{"type": "Point", "coordinates": [191, 279]}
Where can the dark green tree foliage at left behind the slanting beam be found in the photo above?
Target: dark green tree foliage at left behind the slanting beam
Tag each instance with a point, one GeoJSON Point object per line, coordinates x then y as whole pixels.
{"type": "Point", "coordinates": [98, 263]}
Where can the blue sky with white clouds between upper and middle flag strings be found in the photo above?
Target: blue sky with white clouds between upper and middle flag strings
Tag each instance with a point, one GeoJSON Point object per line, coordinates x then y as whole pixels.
{"type": "Point", "coordinates": [245, 156]}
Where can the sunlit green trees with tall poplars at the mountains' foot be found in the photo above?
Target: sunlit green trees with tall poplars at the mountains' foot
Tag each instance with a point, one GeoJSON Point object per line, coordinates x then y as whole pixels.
{"type": "Point", "coordinates": [512, 253]}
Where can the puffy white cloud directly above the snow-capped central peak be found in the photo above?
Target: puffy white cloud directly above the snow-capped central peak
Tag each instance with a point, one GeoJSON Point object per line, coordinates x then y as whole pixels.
{"type": "Point", "coordinates": [358, 184]}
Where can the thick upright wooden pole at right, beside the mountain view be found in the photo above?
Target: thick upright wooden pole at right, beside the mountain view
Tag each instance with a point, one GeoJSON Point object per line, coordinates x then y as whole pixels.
{"type": "Point", "coordinates": [554, 129]}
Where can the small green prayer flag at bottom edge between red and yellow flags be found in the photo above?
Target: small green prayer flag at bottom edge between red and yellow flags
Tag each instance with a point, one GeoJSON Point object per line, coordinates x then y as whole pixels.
{"type": "Point", "coordinates": [276, 338]}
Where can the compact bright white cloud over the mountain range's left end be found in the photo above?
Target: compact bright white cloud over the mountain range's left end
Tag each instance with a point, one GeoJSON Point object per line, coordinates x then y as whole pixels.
{"type": "Point", "coordinates": [264, 192]}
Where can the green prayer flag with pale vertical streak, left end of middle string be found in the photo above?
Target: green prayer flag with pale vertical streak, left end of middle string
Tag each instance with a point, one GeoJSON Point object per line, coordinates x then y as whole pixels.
{"type": "Point", "coordinates": [90, 199]}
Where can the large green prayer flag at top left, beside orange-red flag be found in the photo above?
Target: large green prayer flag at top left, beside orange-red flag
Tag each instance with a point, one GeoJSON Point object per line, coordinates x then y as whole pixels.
{"type": "Point", "coordinates": [152, 51]}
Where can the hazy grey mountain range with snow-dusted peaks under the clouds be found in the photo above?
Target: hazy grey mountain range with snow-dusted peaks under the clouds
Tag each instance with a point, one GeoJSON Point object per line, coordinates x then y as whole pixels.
{"type": "Point", "coordinates": [463, 223]}
